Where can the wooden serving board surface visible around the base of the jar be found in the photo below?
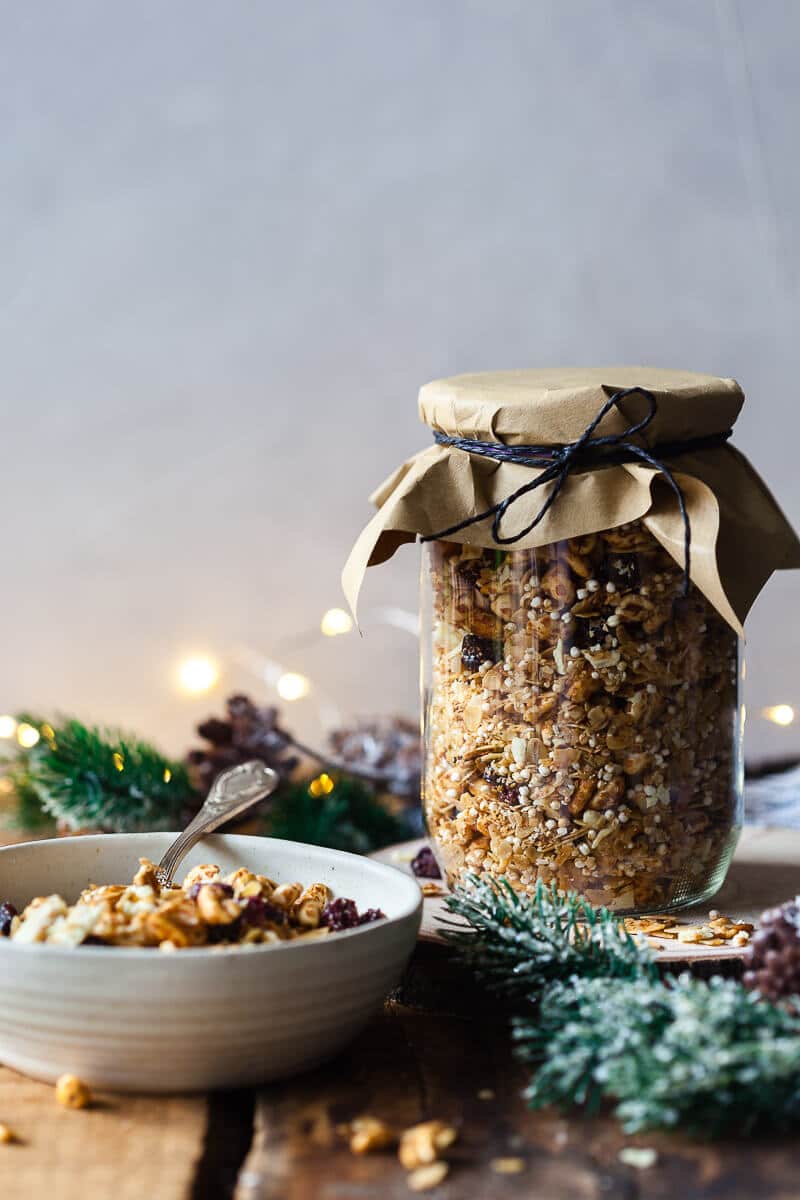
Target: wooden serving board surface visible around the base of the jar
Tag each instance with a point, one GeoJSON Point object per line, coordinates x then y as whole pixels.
{"type": "Point", "coordinates": [766, 872]}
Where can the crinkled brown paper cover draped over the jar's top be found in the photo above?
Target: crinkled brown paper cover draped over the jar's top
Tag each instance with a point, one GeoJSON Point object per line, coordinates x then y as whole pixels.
{"type": "Point", "coordinates": [739, 533]}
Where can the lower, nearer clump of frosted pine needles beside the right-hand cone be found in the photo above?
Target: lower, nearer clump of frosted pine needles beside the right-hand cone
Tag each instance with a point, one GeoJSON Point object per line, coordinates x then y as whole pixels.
{"type": "Point", "coordinates": [709, 1058]}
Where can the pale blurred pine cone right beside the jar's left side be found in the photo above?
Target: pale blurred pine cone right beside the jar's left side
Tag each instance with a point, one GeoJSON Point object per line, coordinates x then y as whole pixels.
{"type": "Point", "coordinates": [389, 746]}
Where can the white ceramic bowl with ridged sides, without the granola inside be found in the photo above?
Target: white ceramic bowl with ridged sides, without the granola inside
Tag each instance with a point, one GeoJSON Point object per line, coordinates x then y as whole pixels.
{"type": "Point", "coordinates": [199, 1019]}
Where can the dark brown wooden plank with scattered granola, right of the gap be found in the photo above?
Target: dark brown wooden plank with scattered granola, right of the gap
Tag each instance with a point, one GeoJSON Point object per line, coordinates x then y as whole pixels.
{"type": "Point", "coordinates": [412, 1066]}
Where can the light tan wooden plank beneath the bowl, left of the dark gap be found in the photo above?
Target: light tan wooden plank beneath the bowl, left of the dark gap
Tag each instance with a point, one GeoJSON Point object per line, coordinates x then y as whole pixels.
{"type": "Point", "coordinates": [124, 1148]}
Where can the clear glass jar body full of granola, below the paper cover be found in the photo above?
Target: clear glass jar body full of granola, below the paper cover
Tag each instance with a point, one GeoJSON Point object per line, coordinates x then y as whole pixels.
{"type": "Point", "coordinates": [582, 721]}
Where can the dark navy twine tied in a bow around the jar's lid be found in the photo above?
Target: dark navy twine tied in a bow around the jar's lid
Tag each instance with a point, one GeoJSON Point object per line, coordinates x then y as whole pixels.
{"type": "Point", "coordinates": [587, 453]}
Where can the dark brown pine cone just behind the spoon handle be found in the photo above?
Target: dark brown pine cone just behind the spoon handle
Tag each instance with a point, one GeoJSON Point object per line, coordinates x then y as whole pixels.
{"type": "Point", "coordinates": [249, 733]}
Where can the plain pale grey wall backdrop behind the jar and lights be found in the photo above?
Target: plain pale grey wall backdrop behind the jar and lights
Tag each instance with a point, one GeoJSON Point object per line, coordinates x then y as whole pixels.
{"type": "Point", "coordinates": [238, 237]}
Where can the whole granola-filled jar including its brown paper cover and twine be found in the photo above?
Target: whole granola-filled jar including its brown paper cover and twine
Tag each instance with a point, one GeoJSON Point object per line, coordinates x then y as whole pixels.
{"type": "Point", "coordinates": [593, 545]}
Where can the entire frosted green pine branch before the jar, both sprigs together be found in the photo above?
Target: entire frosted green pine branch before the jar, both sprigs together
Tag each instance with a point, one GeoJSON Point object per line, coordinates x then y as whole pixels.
{"type": "Point", "coordinates": [599, 1025]}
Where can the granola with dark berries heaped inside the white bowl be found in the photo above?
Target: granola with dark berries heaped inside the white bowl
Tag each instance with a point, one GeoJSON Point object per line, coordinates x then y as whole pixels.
{"type": "Point", "coordinates": [208, 909]}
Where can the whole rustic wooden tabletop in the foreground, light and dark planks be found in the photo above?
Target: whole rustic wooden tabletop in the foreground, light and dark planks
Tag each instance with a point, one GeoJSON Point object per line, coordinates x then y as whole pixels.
{"type": "Point", "coordinates": [438, 1049]}
